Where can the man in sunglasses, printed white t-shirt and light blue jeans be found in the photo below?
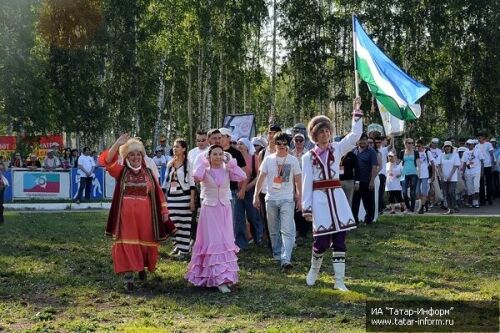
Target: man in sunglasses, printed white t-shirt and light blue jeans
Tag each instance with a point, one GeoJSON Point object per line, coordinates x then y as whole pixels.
{"type": "Point", "coordinates": [282, 174]}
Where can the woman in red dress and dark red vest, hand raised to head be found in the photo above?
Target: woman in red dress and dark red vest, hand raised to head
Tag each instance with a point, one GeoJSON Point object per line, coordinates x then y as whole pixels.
{"type": "Point", "coordinates": [138, 219]}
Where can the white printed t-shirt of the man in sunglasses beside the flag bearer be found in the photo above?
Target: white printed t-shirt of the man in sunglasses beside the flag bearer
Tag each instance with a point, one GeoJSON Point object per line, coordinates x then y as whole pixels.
{"type": "Point", "coordinates": [289, 167]}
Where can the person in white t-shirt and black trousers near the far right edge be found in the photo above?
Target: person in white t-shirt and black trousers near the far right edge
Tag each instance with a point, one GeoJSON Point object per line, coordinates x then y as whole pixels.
{"type": "Point", "coordinates": [487, 151]}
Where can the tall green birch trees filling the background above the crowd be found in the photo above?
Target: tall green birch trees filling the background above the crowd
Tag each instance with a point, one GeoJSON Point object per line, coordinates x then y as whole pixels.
{"type": "Point", "coordinates": [94, 67]}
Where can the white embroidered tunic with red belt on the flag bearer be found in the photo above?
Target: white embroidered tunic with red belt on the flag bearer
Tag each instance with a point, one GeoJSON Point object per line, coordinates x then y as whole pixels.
{"type": "Point", "coordinates": [329, 207]}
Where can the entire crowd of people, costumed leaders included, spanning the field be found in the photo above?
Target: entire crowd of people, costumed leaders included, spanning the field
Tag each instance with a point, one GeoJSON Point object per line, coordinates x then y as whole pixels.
{"type": "Point", "coordinates": [272, 191]}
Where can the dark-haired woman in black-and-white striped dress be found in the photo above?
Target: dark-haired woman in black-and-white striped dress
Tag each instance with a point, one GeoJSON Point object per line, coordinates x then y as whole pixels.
{"type": "Point", "coordinates": [180, 193]}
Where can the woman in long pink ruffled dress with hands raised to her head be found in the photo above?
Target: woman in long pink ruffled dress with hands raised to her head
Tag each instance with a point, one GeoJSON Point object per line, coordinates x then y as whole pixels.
{"type": "Point", "coordinates": [214, 262]}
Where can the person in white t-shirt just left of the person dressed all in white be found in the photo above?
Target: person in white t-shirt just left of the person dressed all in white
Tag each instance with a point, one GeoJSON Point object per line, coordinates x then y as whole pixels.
{"type": "Point", "coordinates": [448, 164]}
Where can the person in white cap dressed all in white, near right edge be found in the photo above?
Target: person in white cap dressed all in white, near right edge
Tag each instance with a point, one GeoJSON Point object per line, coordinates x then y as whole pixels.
{"type": "Point", "coordinates": [472, 166]}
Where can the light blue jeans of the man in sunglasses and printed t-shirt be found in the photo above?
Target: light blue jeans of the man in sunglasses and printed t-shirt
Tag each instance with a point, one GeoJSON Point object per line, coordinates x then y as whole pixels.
{"type": "Point", "coordinates": [281, 228]}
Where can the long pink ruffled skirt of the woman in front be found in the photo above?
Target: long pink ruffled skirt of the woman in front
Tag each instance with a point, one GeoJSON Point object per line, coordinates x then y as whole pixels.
{"type": "Point", "coordinates": [214, 261]}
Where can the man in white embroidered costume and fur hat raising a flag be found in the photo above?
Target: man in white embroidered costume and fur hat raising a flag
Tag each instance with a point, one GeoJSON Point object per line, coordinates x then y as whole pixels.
{"type": "Point", "coordinates": [323, 201]}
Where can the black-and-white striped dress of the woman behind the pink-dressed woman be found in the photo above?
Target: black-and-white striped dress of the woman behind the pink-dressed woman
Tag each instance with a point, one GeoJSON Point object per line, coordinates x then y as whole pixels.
{"type": "Point", "coordinates": [178, 194]}
